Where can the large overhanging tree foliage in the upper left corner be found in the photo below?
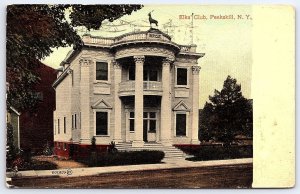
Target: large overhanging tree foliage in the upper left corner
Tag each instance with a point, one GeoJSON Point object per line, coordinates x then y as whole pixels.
{"type": "Point", "coordinates": [34, 30]}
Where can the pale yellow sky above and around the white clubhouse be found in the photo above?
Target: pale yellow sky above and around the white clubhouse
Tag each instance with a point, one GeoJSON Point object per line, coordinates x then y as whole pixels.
{"type": "Point", "coordinates": [225, 42]}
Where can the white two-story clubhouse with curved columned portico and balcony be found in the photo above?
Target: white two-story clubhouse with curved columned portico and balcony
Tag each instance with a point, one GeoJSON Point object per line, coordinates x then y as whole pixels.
{"type": "Point", "coordinates": [135, 88]}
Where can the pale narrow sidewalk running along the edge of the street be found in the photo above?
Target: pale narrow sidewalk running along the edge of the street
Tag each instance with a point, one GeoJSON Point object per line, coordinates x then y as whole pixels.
{"type": "Point", "coordinates": [168, 164]}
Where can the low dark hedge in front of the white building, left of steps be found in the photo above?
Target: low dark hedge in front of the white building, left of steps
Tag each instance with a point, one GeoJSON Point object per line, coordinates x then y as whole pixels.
{"type": "Point", "coordinates": [127, 158]}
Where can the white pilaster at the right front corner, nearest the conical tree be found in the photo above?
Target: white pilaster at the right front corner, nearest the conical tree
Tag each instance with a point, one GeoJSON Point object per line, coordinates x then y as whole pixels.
{"type": "Point", "coordinates": [195, 109]}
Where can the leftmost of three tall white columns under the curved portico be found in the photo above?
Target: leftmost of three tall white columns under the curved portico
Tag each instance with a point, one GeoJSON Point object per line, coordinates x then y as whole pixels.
{"type": "Point", "coordinates": [117, 105]}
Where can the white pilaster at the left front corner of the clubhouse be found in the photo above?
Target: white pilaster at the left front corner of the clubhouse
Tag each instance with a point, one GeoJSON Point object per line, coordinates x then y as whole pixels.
{"type": "Point", "coordinates": [85, 100]}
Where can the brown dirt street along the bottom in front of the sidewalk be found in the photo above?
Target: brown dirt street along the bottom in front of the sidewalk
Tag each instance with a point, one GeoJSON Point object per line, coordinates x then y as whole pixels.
{"type": "Point", "coordinates": [230, 176]}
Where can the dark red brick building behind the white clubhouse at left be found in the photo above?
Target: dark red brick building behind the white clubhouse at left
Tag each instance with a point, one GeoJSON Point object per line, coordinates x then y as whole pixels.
{"type": "Point", "coordinates": [36, 128]}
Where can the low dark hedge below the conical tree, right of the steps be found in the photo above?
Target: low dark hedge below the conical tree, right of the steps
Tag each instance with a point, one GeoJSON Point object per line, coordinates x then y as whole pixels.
{"type": "Point", "coordinates": [203, 153]}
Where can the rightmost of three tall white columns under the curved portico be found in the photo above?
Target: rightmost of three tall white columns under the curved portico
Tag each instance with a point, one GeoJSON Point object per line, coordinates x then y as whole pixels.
{"type": "Point", "coordinates": [166, 104]}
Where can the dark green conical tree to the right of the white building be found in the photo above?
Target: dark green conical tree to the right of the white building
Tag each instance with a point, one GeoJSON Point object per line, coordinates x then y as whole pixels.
{"type": "Point", "coordinates": [226, 115]}
